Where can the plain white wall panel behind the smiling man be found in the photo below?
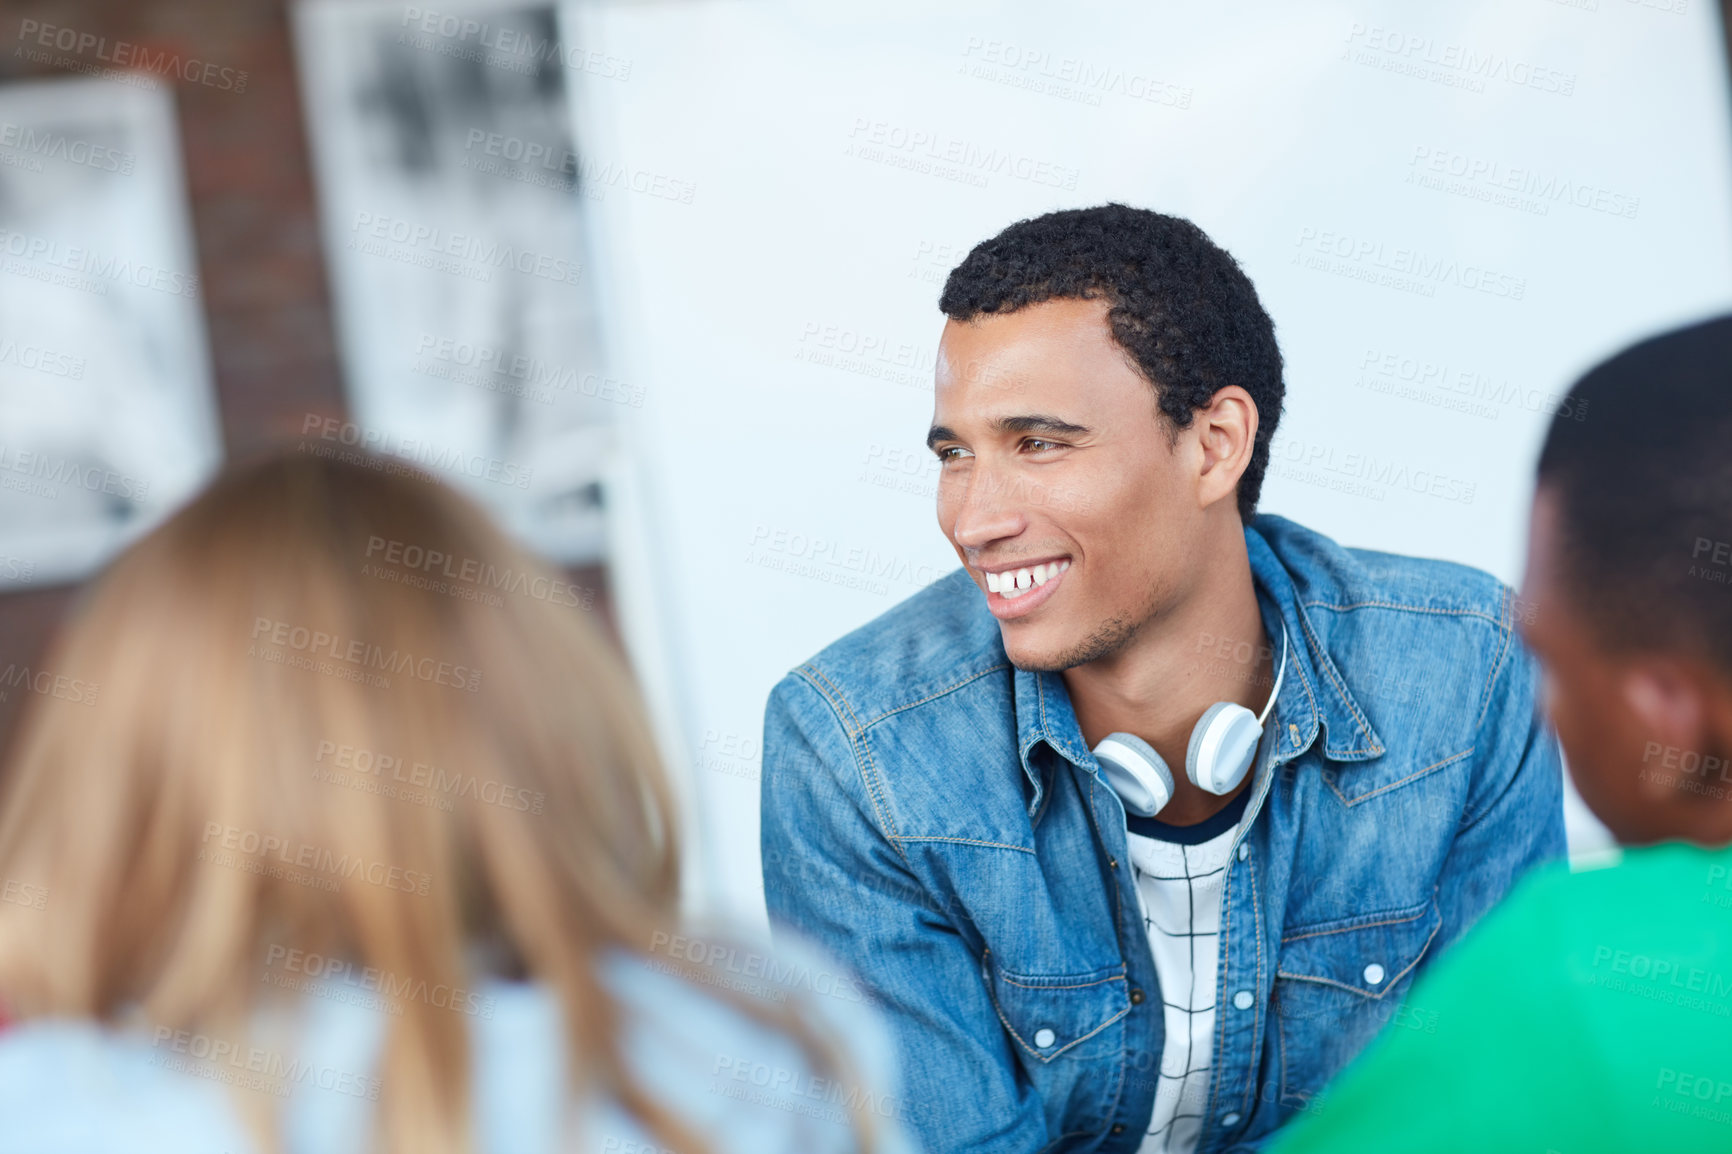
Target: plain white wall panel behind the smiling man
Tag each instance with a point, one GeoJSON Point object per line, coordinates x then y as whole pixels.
{"type": "Point", "coordinates": [843, 159]}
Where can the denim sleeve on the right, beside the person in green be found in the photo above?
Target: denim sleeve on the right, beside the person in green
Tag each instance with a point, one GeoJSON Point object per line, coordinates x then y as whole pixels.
{"type": "Point", "coordinates": [1515, 814]}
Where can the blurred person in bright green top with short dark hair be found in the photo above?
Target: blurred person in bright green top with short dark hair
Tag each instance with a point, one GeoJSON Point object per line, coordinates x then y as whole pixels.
{"type": "Point", "coordinates": [1593, 1011]}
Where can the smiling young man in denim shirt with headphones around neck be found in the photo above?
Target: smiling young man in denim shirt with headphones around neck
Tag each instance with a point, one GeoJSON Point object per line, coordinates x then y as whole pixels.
{"type": "Point", "coordinates": [1075, 952]}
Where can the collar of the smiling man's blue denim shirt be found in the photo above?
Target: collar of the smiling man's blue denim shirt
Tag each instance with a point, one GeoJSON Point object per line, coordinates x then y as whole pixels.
{"type": "Point", "coordinates": [1314, 696]}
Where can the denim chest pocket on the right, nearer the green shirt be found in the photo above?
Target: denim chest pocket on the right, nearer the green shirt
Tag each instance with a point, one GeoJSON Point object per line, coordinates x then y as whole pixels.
{"type": "Point", "coordinates": [1338, 983]}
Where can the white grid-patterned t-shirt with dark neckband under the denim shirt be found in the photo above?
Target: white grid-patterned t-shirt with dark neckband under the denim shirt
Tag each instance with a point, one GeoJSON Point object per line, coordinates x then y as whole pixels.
{"type": "Point", "coordinates": [1180, 876]}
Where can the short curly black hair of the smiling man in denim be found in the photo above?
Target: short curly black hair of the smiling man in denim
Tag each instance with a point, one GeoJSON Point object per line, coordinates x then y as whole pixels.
{"type": "Point", "coordinates": [1177, 302]}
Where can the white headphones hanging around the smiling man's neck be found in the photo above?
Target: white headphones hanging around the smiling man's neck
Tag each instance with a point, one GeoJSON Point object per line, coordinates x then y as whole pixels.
{"type": "Point", "coordinates": [1224, 742]}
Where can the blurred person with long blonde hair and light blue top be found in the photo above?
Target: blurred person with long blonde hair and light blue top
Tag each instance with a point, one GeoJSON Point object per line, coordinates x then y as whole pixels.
{"type": "Point", "coordinates": [344, 862]}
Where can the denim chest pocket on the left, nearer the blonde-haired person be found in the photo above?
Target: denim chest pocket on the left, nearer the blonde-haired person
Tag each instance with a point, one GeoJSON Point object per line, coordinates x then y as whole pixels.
{"type": "Point", "coordinates": [1052, 1016]}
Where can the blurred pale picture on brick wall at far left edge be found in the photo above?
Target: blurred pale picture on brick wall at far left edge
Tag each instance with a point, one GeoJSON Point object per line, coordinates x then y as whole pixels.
{"type": "Point", "coordinates": [108, 415]}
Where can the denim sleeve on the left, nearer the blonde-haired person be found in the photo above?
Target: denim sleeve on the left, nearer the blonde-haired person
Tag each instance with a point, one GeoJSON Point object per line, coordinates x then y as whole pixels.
{"type": "Point", "coordinates": [834, 874]}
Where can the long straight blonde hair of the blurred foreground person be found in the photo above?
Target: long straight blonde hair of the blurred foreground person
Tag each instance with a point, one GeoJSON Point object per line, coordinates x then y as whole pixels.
{"type": "Point", "coordinates": [197, 822]}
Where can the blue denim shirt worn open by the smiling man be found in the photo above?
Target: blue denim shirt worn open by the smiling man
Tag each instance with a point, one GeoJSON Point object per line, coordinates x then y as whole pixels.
{"type": "Point", "coordinates": [936, 819]}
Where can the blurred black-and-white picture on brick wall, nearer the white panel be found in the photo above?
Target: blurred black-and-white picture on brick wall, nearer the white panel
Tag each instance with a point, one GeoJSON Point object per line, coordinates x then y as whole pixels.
{"type": "Point", "coordinates": [453, 209]}
